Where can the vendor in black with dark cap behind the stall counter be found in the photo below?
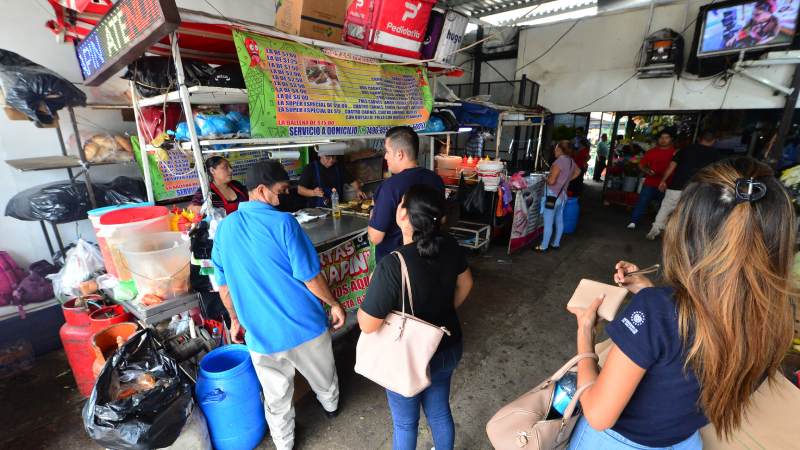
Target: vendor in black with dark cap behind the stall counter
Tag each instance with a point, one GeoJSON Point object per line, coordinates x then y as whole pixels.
{"type": "Point", "coordinates": [321, 177]}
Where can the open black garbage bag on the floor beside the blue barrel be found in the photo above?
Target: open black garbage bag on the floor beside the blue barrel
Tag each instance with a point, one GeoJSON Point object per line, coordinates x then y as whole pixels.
{"type": "Point", "coordinates": [151, 418]}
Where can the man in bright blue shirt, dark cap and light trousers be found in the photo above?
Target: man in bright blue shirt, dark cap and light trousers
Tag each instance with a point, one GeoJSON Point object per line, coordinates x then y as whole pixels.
{"type": "Point", "coordinates": [271, 284]}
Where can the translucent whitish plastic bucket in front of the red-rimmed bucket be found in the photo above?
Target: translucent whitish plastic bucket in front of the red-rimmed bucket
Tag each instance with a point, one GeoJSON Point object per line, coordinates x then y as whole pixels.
{"type": "Point", "coordinates": [158, 263]}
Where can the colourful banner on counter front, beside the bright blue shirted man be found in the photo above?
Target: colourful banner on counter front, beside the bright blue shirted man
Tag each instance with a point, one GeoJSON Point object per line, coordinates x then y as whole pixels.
{"type": "Point", "coordinates": [348, 268]}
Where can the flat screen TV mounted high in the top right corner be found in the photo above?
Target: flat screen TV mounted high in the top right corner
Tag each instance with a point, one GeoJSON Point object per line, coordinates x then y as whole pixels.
{"type": "Point", "coordinates": [747, 25]}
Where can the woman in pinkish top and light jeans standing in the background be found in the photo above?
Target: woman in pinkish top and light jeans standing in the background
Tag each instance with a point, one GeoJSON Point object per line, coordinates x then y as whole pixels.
{"type": "Point", "coordinates": [562, 172]}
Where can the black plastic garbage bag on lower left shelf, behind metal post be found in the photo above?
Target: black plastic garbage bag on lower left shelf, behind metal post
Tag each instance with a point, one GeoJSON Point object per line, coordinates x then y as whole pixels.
{"type": "Point", "coordinates": [64, 202]}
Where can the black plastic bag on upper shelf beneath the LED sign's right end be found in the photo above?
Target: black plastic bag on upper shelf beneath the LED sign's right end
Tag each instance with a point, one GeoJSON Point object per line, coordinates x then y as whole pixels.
{"type": "Point", "coordinates": [155, 75]}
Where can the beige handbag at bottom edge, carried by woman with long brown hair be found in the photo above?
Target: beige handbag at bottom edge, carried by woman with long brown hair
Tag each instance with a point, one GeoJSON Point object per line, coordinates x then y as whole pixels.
{"type": "Point", "coordinates": [521, 424]}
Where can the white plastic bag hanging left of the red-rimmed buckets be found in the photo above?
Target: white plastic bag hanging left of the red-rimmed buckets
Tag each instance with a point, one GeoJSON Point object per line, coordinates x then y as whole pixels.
{"type": "Point", "coordinates": [83, 262]}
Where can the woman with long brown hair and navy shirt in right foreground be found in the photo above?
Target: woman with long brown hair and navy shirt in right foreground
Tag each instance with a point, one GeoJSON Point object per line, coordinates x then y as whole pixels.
{"type": "Point", "coordinates": [693, 352]}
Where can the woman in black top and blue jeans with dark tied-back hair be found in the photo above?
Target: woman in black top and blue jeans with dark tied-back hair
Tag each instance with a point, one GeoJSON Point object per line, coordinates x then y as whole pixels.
{"type": "Point", "coordinates": [440, 282]}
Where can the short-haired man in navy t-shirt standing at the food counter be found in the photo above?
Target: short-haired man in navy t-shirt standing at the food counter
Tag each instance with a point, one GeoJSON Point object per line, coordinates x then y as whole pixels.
{"type": "Point", "coordinates": [402, 148]}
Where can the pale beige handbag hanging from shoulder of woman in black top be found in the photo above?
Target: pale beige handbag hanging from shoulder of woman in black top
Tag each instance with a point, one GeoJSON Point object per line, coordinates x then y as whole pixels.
{"type": "Point", "coordinates": [396, 356]}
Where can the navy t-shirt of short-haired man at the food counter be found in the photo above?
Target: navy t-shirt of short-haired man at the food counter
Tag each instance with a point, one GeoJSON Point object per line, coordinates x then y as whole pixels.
{"type": "Point", "coordinates": [388, 196]}
